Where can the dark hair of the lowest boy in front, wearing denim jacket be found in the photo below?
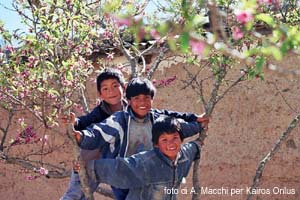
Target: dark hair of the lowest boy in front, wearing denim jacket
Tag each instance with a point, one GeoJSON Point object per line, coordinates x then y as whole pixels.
{"type": "Point", "coordinates": [165, 124]}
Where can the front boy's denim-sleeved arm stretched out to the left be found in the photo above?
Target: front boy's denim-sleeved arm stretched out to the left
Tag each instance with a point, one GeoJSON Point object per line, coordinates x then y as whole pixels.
{"type": "Point", "coordinates": [120, 172]}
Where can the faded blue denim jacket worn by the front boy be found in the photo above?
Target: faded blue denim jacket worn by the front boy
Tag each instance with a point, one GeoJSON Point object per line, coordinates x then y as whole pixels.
{"type": "Point", "coordinates": [148, 175]}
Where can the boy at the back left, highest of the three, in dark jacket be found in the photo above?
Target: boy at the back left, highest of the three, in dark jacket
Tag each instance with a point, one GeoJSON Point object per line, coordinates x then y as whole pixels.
{"type": "Point", "coordinates": [110, 86]}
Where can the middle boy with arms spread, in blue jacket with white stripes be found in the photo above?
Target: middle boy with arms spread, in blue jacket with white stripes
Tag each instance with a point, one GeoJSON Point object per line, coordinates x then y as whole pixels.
{"type": "Point", "coordinates": [129, 132]}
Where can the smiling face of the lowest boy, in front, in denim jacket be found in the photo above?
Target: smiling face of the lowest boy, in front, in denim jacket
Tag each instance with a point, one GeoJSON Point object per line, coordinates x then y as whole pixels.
{"type": "Point", "coordinates": [169, 144]}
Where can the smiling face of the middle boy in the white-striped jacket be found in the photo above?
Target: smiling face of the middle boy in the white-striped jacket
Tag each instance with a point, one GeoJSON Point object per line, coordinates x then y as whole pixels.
{"type": "Point", "coordinates": [140, 104]}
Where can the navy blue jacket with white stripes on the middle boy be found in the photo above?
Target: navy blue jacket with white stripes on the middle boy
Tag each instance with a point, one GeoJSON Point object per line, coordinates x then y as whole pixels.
{"type": "Point", "coordinates": [114, 131]}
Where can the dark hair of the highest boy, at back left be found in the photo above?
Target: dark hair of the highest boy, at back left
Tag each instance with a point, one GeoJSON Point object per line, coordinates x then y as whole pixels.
{"type": "Point", "coordinates": [110, 73]}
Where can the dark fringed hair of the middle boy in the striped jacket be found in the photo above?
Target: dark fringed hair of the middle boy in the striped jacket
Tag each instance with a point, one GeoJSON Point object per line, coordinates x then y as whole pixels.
{"type": "Point", "coordinates": [137, 86]}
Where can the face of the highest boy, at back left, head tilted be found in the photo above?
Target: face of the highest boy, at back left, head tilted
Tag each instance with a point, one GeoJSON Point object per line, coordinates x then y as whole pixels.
{"type": "Point", "coordinates": [111, 91]}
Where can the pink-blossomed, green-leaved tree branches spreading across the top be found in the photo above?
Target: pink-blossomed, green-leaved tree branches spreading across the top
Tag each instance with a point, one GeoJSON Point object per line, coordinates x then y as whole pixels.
{"type": "Point", "coordinates": [47, 73]}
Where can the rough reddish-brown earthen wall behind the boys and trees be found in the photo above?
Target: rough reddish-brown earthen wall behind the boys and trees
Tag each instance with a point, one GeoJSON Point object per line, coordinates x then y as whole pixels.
{"type": "Point", "coordinates": [244, 127]}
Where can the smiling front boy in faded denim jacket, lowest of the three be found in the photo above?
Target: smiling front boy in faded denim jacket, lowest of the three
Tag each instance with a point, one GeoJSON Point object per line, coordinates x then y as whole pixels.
{"type": "Point", "coordinates": [150, 174]}
